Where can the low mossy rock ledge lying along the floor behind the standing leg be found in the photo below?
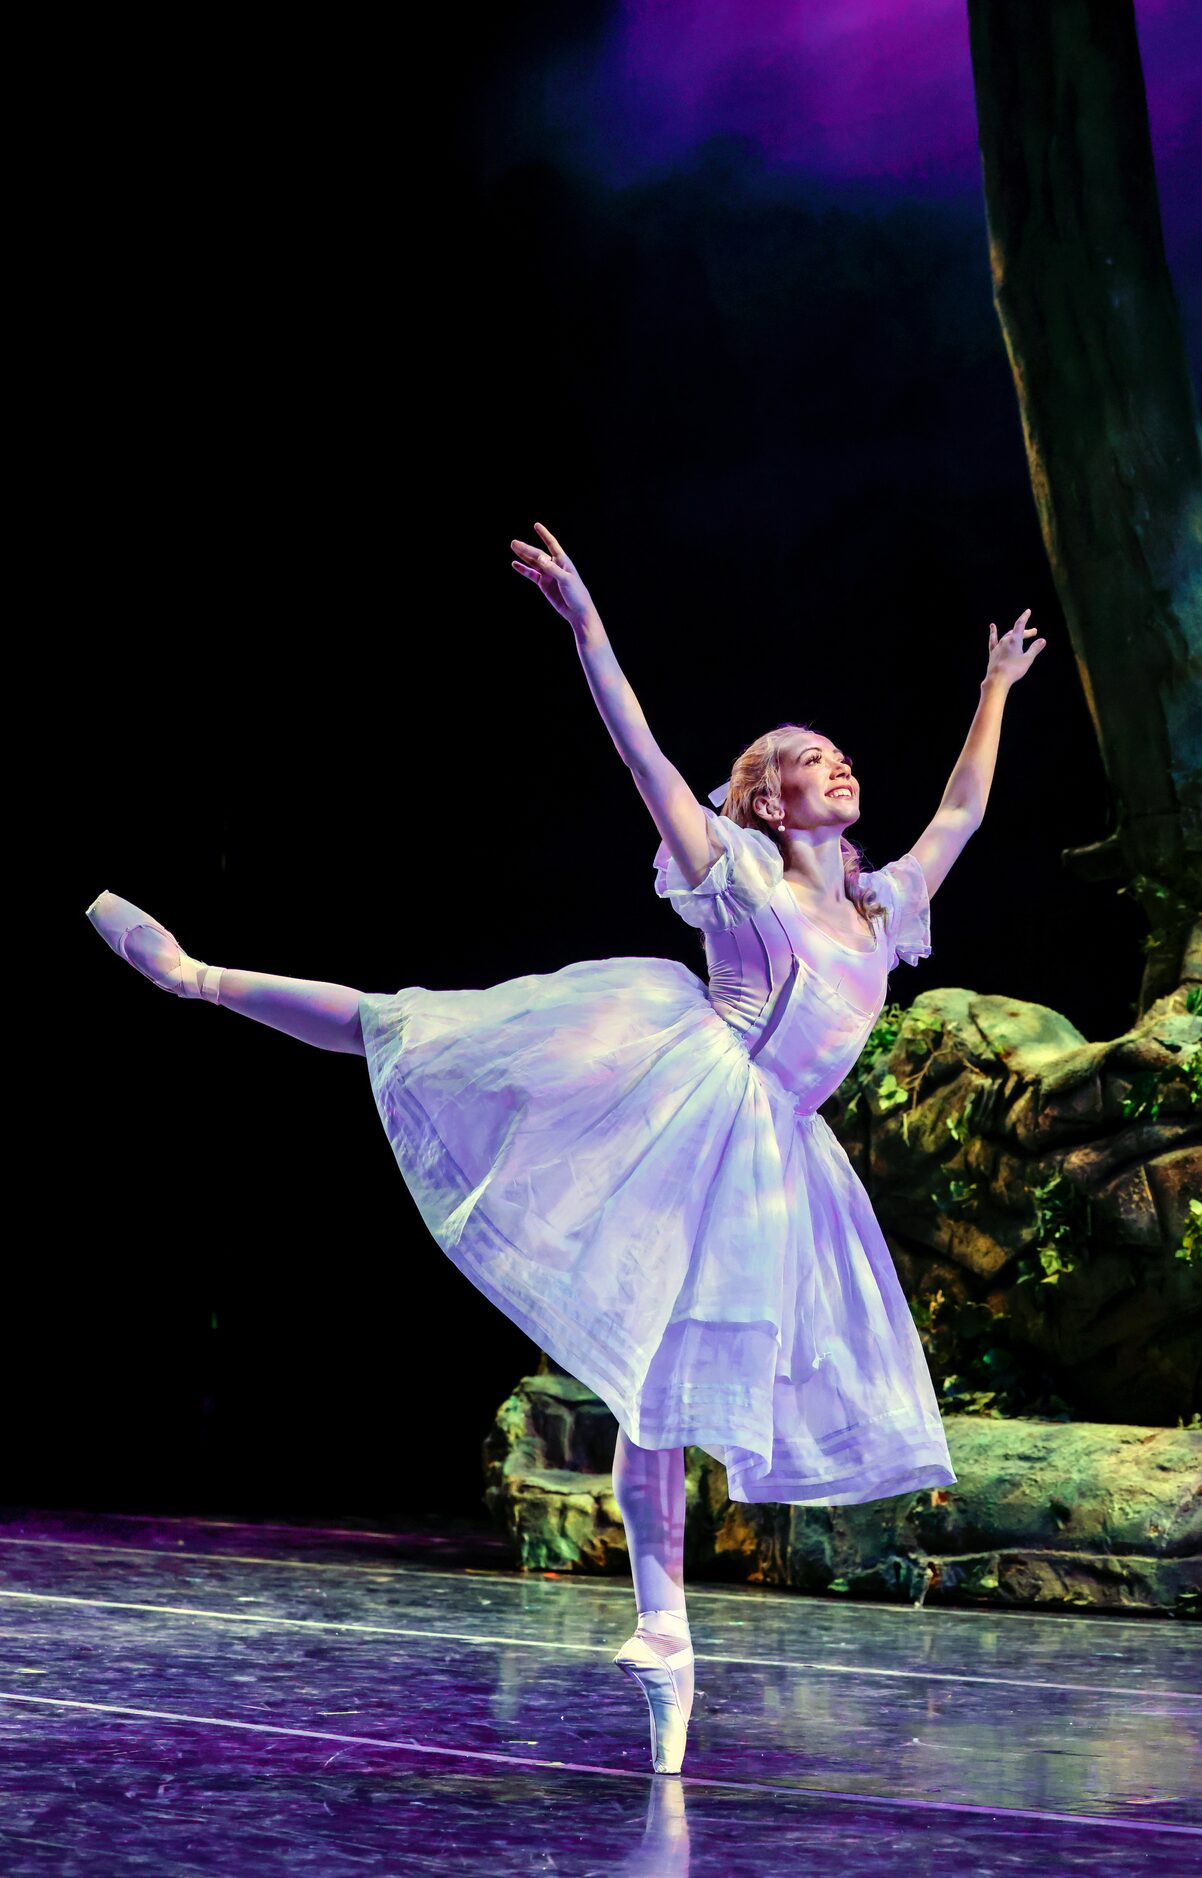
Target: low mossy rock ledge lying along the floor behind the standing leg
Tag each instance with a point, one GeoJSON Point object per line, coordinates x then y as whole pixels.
{"type": "Point", "coordinates": [1043, 1515]}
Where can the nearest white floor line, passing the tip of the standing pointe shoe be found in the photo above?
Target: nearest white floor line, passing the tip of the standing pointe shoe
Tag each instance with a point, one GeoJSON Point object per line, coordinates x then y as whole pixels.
{"type": "Point", "coordinates": [626, 1774]}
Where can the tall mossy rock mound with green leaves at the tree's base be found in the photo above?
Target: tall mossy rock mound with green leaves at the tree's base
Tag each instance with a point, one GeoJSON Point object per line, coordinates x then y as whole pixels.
{"type": "Point", "coordinates": [1036, 1195]}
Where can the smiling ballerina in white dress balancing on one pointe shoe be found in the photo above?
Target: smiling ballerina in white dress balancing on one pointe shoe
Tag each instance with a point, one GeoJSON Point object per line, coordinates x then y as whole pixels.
{"type": "Point", "coordinates": [632, 1163]}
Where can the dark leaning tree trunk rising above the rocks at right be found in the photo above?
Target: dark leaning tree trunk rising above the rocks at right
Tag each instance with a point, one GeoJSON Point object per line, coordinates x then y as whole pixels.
{"type": "Point", "coordinates": [1111, 425]}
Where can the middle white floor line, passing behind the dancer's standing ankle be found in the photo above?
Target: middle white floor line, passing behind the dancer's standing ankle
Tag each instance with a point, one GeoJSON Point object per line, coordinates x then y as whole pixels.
{"type": "Point", "coordinates": [591, 1650]}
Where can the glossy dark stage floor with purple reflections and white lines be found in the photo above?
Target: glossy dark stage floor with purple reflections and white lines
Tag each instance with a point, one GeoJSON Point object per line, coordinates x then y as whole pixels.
{"type": "Point", "coordinates": [208, 1697]}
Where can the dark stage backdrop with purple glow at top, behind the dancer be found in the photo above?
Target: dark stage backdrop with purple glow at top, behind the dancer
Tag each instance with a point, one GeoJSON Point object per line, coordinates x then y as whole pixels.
{"type": "Point", "coordinates": [324, 326]}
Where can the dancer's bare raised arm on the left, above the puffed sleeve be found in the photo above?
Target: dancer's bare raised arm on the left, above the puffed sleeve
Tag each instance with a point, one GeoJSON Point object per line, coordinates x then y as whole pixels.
{"type": "Point", "coordinates": [675, 810]}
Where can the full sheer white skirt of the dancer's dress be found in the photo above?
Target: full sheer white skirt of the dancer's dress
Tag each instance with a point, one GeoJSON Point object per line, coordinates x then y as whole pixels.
{"type": "Point", "coordinates": [602, 1158]}
